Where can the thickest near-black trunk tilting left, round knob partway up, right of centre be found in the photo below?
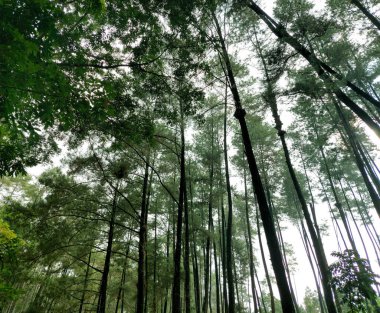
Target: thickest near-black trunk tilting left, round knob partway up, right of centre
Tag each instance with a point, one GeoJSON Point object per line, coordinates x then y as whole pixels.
{"type": "Point", "coordinates": [268, 223]}
